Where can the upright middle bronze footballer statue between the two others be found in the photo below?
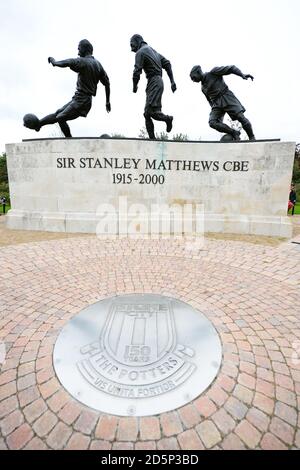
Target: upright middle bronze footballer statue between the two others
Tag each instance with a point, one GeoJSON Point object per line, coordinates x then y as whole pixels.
{"type": "Point", "coordinates": [152, 63]}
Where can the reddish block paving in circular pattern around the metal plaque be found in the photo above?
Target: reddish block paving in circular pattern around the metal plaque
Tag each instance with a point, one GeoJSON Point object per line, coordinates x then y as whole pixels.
{"type": "Point", "coordinates": [249, 292]}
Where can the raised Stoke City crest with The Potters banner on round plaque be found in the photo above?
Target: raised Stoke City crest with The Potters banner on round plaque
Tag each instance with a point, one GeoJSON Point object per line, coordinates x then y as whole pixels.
{"type": "Point", "coordinates": [137, 355]}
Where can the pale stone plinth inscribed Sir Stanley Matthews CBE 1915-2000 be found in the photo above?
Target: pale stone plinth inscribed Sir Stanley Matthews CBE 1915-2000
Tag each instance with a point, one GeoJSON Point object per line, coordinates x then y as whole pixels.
{"type": "Point", "coordinates": [68, 185]}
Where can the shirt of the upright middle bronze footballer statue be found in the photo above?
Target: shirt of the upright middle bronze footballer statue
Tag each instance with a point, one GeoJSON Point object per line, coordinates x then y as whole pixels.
{"type": "Point", "coordinates": [150, 61]}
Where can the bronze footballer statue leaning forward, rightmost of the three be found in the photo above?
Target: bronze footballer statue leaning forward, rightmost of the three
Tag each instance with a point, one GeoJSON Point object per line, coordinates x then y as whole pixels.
{"type": "Point", "coordinates": [222, 100]}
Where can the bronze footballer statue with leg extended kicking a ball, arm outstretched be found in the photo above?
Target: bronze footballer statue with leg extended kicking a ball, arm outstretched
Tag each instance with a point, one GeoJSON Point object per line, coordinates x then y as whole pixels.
{"type": "Point", "coordinates": [90, 72]}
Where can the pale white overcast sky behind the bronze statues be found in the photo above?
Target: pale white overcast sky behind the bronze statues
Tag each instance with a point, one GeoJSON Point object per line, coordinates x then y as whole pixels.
{"type": "Point", "coordinates": [261, 37]}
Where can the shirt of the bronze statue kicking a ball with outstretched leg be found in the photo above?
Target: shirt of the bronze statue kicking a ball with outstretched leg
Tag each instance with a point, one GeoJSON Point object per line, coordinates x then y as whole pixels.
{"type": "Point", "coordinates": [90, 72]}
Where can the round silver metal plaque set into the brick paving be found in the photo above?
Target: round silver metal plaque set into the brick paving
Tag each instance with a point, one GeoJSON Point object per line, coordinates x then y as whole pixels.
{"type": "Point", "coordinates": [137, 355]}
